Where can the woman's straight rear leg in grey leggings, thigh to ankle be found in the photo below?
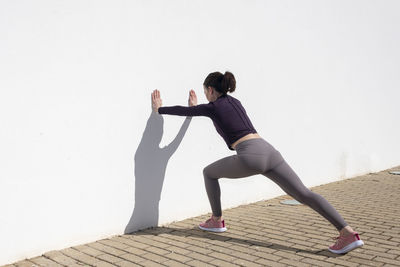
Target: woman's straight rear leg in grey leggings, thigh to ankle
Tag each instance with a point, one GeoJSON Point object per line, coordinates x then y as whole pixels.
{"type": "Point", "coordinates": [287, 179]}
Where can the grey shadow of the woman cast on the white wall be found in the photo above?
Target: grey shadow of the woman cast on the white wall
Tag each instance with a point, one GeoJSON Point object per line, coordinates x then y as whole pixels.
{"type": "Point", "coordinates": [150, 166]}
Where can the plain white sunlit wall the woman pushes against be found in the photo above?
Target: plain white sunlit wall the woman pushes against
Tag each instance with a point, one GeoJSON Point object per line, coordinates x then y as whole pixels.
{"type": "Point", "coordinates": [319, 79]}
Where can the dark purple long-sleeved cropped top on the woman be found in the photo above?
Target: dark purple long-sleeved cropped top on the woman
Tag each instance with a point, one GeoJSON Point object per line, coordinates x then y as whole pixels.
{"type": "Point", "coordinates": [226, 112]}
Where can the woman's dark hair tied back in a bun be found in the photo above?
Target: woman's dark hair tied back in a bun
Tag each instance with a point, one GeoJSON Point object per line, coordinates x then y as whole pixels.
{"type": "Point", "coordinates": [223, 83]}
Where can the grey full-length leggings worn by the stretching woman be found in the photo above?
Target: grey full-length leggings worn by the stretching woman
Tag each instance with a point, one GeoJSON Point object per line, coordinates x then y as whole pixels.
{"type": "Point", "coordinates": [257, 156]}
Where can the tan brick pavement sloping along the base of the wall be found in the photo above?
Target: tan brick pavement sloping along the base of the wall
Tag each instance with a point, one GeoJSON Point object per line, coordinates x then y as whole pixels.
{"type": "Point", "coordinates": [272, 235]}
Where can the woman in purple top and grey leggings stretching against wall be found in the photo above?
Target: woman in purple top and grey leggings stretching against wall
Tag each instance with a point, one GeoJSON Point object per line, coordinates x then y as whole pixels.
{"type": "Point", "coordinates": [254, 156]}
